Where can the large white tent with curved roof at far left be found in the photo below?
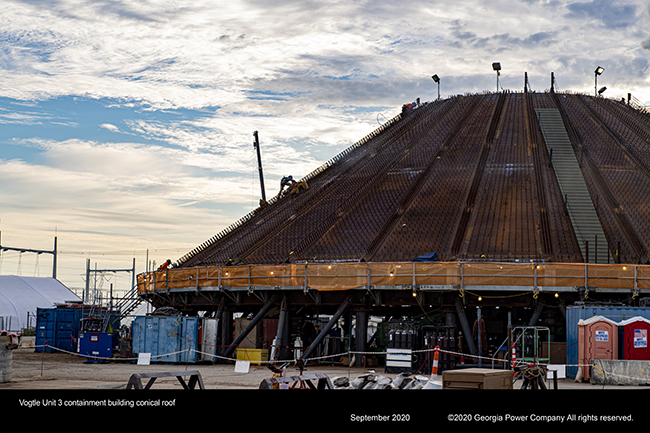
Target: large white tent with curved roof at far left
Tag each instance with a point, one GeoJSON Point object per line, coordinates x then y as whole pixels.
{"type": "Point", "coordinates": [22, 295]}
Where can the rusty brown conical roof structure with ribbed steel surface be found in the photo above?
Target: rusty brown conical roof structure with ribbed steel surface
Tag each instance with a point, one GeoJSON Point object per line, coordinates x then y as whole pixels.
{"type": "Point", "coordinates": [542, 177]}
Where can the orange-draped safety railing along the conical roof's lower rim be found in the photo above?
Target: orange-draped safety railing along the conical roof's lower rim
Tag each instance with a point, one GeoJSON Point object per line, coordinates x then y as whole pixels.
{"type": "Point", "coordinates": [441, 275]}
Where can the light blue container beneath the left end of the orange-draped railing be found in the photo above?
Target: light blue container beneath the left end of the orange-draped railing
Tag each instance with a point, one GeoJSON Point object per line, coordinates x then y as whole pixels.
{"type": "Point", "coordinates": [169, 339]}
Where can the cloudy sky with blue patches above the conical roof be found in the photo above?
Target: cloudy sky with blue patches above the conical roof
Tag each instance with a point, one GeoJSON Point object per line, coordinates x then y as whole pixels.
{"type": "Point", "coordinates": [126, 127]}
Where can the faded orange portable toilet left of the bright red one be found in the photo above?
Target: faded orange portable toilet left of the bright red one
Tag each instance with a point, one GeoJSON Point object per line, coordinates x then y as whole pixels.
{"type": "Point", "coordinates": [597, 339]}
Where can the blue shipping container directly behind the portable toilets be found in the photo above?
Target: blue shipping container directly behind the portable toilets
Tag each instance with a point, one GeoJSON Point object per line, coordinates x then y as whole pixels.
{"type": "Point", "coordinates": [576, 313]}
